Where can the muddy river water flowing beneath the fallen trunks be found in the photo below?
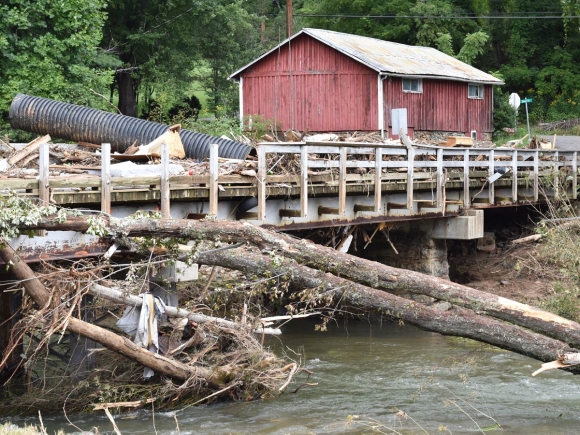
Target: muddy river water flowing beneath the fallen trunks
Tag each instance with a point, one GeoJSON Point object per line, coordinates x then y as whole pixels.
{"type": "Point", "coordinates": [398, 378]}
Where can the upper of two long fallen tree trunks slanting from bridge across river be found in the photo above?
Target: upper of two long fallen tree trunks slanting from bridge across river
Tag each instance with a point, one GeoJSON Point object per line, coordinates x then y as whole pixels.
{"type": "Point", "coordinates": [359, 270]}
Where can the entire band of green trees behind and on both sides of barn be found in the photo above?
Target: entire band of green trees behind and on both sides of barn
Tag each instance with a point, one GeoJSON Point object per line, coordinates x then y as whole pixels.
{"type": "Point", "coordinates": [150, 56]}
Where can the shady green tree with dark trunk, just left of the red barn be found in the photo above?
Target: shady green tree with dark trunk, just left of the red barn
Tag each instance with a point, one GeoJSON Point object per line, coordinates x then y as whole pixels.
{"type": "Point", "coordinates": [161, 43]}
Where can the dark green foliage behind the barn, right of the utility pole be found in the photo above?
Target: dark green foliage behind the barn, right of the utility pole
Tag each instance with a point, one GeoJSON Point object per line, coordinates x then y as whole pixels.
{"type": "Point", "coordinates": [534, 45]}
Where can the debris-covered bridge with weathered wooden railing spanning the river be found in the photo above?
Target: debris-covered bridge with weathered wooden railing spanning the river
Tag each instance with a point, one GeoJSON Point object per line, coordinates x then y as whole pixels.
{"type": "Point", "coordinates": [311, 185]}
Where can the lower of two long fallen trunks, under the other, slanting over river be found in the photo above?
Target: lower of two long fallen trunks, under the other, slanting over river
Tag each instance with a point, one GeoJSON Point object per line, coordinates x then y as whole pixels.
{"type": "Point", "coordinates": [456, 321]}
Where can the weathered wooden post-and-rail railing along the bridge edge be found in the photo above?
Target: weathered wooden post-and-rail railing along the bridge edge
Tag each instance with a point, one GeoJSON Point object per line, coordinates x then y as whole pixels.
{"type": "Point", "coordinates": [382, 163]}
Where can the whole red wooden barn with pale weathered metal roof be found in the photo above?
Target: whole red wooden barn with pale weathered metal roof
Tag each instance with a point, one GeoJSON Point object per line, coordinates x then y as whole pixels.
{"type": "Point", "coordinates": [321, 81]}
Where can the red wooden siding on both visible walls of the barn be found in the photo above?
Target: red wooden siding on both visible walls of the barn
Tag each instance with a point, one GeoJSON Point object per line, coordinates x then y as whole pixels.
{"type": "Point", "coordinates": [308, 85]}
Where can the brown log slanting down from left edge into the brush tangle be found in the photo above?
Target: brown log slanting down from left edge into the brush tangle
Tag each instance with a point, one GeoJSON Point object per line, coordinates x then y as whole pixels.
{"type": "Point", "coordinates": [40, 295]}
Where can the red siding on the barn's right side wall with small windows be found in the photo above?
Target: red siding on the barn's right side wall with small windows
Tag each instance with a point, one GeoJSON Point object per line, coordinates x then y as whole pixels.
{"type": "Point", "coordinates": [443, 105]}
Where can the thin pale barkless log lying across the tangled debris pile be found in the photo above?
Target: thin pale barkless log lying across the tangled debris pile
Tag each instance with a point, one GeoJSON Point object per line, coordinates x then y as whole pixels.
{"type": "Point", "coordinates": [117, 295]}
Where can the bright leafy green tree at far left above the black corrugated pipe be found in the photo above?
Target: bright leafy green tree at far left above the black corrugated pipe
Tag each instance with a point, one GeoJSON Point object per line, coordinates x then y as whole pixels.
{"type": "Point", "coordinates": [49, 49]}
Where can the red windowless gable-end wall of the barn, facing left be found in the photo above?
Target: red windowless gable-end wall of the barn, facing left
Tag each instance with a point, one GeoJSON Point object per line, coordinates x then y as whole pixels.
{"type": "Point", "coordinates": [319, 89]}
